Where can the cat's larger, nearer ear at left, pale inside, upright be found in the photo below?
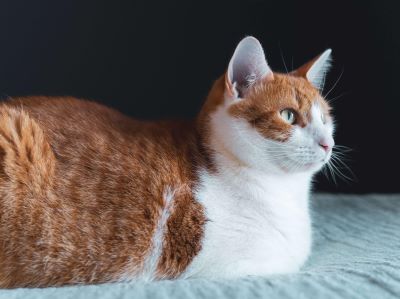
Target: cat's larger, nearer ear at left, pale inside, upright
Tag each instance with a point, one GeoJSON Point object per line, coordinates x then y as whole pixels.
{"type": "Point", "coordinates": [247, 66]}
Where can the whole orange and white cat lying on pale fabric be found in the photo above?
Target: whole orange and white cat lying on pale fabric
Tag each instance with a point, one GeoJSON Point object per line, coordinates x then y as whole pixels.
{"type": "Point", "coordinates": [89, 195]}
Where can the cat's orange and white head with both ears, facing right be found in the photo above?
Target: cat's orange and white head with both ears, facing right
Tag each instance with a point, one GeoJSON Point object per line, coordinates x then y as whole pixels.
{"type": "Point", "coordinates": [271, 121]}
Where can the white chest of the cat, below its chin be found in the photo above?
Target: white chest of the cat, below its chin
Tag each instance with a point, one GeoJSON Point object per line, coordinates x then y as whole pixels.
{"type": "Point", "coordinates": [253, 227]}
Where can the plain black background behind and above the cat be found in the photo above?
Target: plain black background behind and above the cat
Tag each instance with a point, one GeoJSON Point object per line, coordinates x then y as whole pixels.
{"type": "Point", "coordinates": [158, 59]}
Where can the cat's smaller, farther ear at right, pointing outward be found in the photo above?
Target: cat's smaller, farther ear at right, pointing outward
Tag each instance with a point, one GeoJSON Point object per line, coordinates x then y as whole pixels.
{"type": "Point", "coordinates": [315, 70]}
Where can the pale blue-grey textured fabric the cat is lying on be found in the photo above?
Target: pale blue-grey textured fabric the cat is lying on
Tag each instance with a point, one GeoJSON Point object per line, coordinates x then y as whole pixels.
{"type": "Point", "coordinates": [355, 255]}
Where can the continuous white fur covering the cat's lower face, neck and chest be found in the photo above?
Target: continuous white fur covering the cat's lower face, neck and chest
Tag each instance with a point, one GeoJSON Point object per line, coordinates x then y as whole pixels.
{"type": "Point", "coordinates": [257, 202]}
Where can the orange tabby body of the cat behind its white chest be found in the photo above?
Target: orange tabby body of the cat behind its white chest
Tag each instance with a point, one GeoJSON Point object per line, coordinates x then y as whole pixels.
{"type": "Point", "coordinates": [82, 189]}
